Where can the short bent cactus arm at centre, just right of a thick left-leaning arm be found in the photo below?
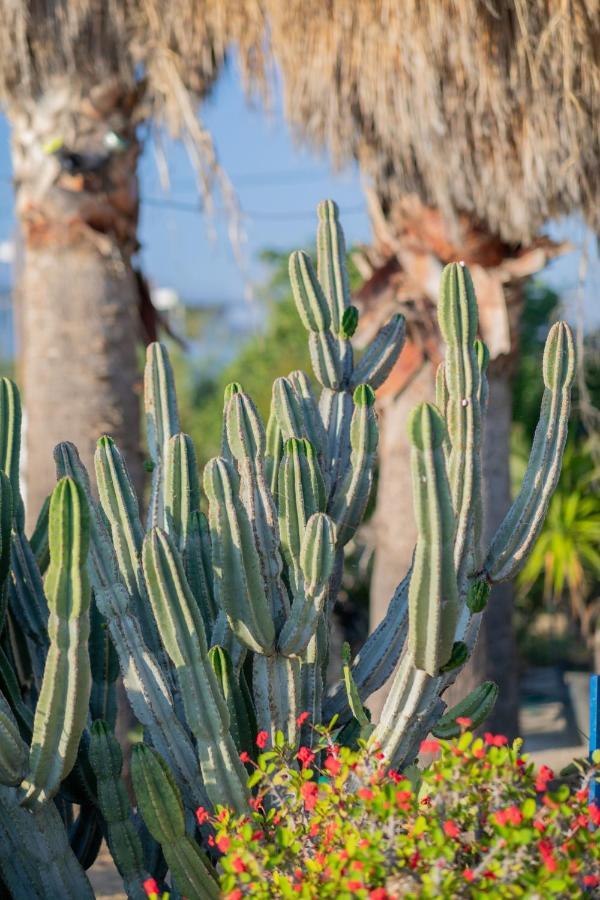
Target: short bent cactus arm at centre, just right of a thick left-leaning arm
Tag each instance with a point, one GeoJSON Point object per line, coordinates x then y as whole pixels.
{"type": "Point", "coordinates": [317, 556]}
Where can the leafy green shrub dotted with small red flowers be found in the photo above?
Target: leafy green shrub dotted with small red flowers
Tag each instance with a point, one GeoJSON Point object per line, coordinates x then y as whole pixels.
{"type": "Point", "coordinates": [480, 820]}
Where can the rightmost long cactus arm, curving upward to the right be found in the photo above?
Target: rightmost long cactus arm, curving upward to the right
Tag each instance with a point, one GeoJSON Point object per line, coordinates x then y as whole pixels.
{"type": "Point", "coordinates": [521, 526]}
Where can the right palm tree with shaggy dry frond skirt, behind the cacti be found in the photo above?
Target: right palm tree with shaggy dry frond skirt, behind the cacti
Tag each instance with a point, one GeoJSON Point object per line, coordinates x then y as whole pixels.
{"type": "Point", "coordinates": [473, 123]}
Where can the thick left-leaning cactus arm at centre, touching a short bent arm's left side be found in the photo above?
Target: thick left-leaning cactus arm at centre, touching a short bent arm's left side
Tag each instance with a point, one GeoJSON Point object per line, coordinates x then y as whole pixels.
{"type": "Point", "coordinates": [238, 584]}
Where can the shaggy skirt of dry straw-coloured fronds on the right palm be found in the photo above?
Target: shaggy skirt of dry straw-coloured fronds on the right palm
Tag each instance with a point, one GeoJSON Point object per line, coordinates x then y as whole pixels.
{"type": "Point", "coordinates": [491, 107]}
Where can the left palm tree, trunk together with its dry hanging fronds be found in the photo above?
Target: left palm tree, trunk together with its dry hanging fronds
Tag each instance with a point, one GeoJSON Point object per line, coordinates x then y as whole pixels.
{"type": "Point", "coordinates": [77, 79]}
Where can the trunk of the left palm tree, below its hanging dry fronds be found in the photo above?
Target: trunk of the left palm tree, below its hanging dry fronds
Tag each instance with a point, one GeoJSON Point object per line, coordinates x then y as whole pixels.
{"type": "Point", "coordinates": [75, 156]}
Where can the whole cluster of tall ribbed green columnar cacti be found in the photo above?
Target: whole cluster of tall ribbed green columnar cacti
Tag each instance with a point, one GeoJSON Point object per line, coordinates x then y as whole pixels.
{"type": "Point", "coordinates": [219, 622]}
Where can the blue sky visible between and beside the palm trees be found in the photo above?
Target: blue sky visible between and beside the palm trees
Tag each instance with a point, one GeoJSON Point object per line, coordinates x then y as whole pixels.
{"type": "Point", "coordinates": [278, 185]}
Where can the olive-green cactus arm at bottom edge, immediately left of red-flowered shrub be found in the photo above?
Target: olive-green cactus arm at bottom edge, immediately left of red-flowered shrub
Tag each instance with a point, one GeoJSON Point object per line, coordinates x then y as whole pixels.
{"type": "Point", "coordinates": [162, 809]}
